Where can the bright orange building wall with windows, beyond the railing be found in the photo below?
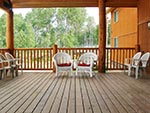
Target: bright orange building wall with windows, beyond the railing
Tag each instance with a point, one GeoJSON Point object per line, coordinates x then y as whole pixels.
{"type": "Point", "coordinates": [126, 27]}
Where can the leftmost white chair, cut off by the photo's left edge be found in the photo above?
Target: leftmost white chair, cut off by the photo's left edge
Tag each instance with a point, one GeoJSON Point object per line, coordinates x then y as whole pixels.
{"type": "Point", "coordinates": [5, 66]}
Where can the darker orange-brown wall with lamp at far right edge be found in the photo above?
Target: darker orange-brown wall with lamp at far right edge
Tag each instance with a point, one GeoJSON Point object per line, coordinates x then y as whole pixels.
{"type": "Point", "coordinates": [144, 17]}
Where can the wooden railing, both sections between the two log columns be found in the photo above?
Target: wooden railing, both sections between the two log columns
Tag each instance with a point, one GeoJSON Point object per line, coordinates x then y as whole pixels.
{"type": "Point", "coordinates": [41, 58]}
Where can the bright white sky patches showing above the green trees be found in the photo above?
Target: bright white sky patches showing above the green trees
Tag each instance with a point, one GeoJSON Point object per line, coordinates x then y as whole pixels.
{"type": "Point", "coordinates": [90, 11]}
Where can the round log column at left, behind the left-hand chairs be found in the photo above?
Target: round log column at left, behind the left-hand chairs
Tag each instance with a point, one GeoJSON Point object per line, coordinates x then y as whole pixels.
{"type": "Point", "coordinates": [9, 31]}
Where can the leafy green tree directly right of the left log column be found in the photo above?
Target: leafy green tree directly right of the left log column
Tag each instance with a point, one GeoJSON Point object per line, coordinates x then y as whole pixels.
{"type": "Point", "coordinates": [23, 33]}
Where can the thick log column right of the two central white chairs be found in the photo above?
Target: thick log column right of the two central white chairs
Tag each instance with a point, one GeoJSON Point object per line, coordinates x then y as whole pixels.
{"type": "Point", "coordinates": [102, 35]}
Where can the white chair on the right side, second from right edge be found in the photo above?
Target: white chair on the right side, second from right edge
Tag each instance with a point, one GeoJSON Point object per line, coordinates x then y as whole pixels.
{"type": "Point", "coordinates": [132, 61]}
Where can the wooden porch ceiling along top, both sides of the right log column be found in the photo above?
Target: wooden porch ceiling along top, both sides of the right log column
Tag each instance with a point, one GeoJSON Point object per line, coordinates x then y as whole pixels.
{"type": "Point", "coordinates": [70, 3]}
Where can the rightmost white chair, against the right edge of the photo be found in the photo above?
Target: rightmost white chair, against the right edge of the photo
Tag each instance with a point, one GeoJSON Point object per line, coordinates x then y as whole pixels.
{"type": "Point", "coordinates": [141, 64]}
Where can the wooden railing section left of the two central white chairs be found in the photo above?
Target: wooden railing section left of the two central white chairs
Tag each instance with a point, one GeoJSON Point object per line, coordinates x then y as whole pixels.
{"type": "Point", "coordinates": [35, 58]}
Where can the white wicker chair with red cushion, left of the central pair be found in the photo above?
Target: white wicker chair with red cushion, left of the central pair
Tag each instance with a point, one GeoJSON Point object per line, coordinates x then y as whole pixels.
{"type": "Point", "coordinates": [62, 62]}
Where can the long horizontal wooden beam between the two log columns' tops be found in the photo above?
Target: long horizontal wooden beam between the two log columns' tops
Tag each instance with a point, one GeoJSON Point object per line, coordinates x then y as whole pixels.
{"type": "Point", "coordinates": [53, 3]}
